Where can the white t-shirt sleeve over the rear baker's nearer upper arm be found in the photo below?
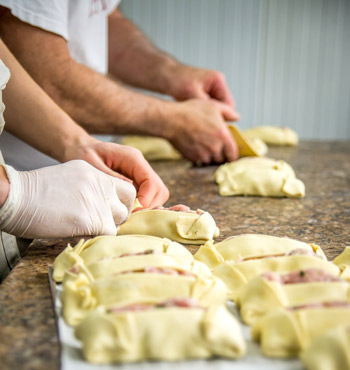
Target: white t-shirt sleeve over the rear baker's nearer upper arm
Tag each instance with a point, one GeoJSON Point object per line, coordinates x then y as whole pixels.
{"type": "Point", "coordinates": [49, 15]}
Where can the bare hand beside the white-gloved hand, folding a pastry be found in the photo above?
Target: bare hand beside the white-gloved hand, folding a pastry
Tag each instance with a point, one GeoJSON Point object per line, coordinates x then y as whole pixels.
{"type": "Point", "coordinates": [117, 160]}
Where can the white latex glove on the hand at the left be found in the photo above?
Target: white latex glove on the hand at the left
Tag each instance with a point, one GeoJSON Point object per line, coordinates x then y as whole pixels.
{"type": "Point", "coordinates": [66, 200]}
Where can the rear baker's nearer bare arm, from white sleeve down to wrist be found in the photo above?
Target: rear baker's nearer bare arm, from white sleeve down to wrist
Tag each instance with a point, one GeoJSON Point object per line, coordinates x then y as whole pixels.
{"type": "Point", "coordinates": [97, 103]}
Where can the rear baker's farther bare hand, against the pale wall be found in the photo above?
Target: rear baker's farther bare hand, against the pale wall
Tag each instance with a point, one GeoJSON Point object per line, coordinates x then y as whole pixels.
{"type": "Point", "coordinates": [188, 82]}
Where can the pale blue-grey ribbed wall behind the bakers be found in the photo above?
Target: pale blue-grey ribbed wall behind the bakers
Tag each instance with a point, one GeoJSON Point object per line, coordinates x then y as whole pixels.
{"type": "Point", "coordinates": [287, 62]}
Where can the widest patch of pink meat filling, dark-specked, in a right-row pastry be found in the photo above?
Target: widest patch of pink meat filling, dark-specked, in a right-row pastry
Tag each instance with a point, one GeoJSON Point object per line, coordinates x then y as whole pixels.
{"type": "Point", "coordinates": [302, 276]}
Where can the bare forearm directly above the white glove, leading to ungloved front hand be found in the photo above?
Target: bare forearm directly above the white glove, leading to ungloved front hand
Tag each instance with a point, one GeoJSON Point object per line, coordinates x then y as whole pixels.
{"type": "Point", "coordinates": [33, 117]}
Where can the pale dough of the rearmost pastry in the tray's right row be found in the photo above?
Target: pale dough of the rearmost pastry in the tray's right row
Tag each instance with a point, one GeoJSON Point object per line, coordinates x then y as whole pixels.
{"type": "Point", "coordinates": [246, 246]}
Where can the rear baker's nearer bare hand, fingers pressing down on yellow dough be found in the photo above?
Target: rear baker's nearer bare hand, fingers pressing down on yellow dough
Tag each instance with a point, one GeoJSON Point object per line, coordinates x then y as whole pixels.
{"type": "Point", "coordinates": [198, 130]}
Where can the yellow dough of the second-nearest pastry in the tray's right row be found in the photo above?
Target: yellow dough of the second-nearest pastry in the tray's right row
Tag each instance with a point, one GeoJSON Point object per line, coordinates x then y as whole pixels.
{"type": "Point", "coordinates": [284, 333]}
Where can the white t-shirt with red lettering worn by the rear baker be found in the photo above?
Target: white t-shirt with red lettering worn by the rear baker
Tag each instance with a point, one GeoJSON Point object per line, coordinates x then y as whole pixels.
{"type": "Point", "coordinates": [83, 23]}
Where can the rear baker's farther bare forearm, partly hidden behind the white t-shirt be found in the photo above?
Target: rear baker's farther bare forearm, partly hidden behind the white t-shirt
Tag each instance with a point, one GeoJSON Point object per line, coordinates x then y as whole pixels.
{"type": "Point", "coordinates": [134, 59]}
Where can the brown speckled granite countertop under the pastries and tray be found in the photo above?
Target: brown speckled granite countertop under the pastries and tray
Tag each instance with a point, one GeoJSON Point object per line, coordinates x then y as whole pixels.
{"type": "Point", "coordinates": [28, 338]}
